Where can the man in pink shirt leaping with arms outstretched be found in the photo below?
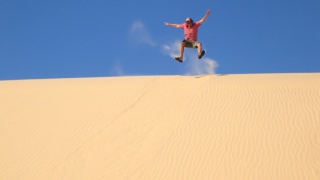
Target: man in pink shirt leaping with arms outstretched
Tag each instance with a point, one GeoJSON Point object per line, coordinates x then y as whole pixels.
{"type": "Point", "coordinates": [191, 35]}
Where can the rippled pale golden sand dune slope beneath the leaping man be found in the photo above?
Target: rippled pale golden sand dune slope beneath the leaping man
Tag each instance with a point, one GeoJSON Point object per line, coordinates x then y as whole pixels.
{"type": "Point", "coordinates": [250, 126]}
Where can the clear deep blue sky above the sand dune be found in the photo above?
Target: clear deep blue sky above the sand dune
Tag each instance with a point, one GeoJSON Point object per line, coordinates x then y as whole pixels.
{"type": "Point", "coordinates": [96, 38]}
